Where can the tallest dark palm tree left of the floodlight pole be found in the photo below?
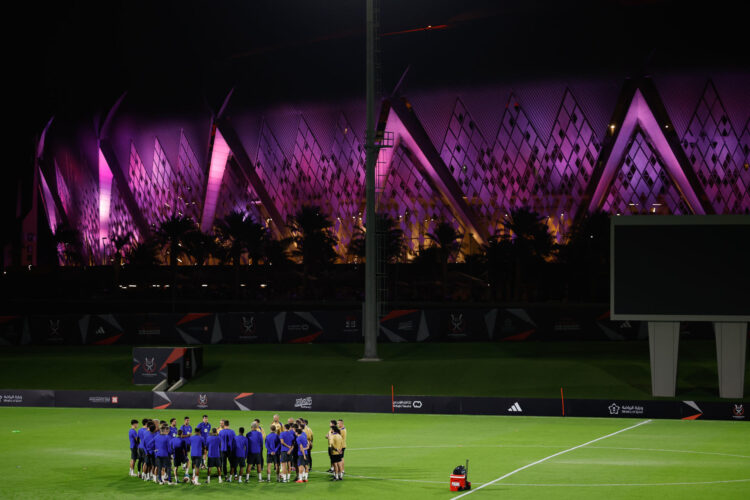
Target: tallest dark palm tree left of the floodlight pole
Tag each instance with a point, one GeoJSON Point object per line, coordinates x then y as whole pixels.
{"type": "Point", "coordinates": [315, 242]}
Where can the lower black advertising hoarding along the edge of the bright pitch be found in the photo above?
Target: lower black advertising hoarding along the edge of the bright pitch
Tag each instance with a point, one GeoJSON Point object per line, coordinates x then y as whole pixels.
{"type": "Point", "coordinates": [335, 403]}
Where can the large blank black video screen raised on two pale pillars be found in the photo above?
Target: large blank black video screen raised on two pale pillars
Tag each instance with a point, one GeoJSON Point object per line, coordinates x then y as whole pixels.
{"type": "Point", "coordinates": [680, 268]}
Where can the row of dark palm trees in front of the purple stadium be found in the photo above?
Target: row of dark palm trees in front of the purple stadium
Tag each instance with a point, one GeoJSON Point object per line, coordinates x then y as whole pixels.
{"type": "Point", "coordinates": [512, 262]}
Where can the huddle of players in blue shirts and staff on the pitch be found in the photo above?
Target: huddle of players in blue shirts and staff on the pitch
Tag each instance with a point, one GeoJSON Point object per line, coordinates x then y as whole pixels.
{"type": "Point", "coordinates": [158, 450]}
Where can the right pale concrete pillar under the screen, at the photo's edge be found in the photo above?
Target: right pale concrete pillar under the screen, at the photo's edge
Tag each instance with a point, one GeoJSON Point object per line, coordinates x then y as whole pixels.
{"type": "Point", "coordinates": [731, 345]}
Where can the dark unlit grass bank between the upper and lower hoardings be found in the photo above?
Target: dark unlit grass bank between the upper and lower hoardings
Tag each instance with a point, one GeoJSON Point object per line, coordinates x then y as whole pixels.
{"type": "Point", "coordinates": [585, 369]}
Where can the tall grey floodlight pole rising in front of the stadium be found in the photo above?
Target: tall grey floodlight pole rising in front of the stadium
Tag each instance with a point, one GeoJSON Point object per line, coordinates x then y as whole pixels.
{"type": "Point", "coordinates": [370, 323]}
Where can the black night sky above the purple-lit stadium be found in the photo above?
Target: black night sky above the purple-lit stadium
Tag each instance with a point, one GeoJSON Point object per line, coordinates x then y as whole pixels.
{"type": "Point", "coordinates": [73, 61]}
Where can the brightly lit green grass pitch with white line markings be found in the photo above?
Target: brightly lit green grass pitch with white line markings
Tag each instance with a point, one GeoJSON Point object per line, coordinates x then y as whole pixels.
{"type": "Point", "coordinates": [82, 453]}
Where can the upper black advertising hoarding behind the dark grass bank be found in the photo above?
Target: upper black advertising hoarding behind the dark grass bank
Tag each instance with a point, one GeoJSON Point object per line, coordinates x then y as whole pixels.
{"type": "Point", "coordinates": [568, 322]}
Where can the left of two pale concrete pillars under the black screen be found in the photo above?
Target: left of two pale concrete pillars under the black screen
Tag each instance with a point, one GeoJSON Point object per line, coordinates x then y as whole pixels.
{"type": "Point", "coordinates": [663, 342]}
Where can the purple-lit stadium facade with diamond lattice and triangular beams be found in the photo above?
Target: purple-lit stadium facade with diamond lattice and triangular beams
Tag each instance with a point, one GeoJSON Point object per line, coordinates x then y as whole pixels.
{"type": "Point", "coordinates": [467, 156]}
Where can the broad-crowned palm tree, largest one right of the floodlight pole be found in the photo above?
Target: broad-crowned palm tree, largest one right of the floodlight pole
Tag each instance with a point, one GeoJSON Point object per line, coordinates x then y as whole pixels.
{"type": "Point", "coordinates": [532, 244]}
